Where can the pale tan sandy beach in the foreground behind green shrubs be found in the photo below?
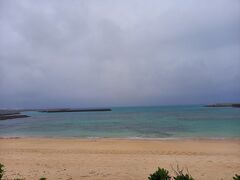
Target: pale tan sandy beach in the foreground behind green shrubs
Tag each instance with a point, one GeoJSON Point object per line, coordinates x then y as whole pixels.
{"type": "Point", "coordinates": [55, 158]}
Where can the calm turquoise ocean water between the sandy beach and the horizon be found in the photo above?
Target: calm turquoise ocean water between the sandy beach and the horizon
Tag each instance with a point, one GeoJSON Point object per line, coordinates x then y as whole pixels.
{"type": "Point", "coordinates": [129, 122]}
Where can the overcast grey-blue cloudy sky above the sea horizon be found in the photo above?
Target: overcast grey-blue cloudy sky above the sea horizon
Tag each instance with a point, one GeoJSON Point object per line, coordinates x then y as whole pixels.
{"type": "Point", "coordinates": [92, 53]}
